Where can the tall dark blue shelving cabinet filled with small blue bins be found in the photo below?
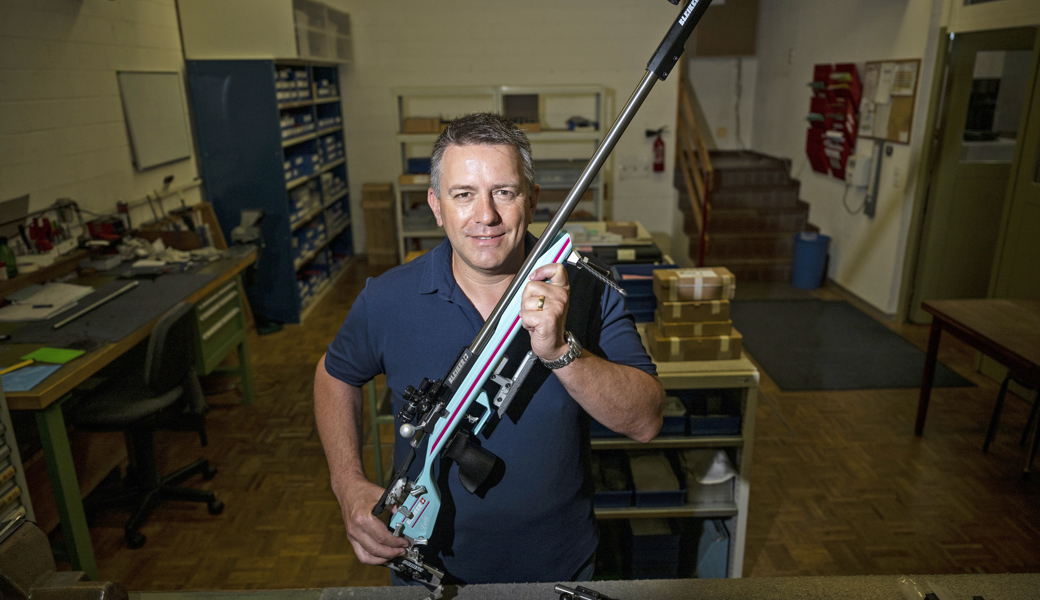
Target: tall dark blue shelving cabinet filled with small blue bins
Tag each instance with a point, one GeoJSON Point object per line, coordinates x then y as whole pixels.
{"type": "Point", "coordinates": [243, 110]}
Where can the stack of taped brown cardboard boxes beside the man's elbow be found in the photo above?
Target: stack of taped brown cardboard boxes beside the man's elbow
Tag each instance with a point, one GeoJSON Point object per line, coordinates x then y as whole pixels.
{"type": "Point", "coordinates": [692, 321]}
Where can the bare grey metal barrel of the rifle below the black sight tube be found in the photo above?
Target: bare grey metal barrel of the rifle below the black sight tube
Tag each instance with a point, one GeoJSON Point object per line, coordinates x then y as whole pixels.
{"type": "Point", "coordinates": [612, 138]}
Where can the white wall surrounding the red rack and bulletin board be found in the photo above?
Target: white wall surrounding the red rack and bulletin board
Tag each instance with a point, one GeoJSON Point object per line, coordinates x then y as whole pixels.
{"type": "Point", "coordinates": [867, 254]}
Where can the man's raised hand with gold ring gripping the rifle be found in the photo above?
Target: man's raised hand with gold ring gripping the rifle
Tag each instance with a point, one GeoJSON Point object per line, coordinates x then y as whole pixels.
{"type": "Point", "coordinates": [544, 311]}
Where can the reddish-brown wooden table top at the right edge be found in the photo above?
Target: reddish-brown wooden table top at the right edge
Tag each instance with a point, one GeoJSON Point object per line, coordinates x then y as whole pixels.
{"type": "Point", "coordinates": [1011, 326]}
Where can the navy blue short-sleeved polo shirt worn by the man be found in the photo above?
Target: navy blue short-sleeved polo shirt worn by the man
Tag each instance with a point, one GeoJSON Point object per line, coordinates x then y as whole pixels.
{"type": "Point", "coordinates": [535, 523]}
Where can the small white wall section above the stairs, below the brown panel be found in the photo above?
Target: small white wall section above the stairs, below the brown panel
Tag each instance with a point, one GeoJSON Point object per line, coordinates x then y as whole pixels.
{"type": "Point", "coordinates": [722, 86]}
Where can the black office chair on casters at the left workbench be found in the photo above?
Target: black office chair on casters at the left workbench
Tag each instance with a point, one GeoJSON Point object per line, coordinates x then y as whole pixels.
{"type": "Point", "coordinates": [163, 395]}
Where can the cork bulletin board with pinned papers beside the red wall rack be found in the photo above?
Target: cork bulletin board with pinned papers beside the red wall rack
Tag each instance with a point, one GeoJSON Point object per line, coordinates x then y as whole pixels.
{"type": "Point", "coordinates": [890, 94]}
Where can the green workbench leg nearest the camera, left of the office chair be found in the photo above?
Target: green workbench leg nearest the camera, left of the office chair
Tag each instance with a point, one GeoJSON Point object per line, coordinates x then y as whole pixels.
{"type": "Point", "coordinates": [70, 504]}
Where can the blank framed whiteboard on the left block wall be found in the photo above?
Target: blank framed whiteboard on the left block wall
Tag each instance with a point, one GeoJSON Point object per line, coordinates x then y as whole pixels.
{"type": "Point", "coordinates": [153, 106]}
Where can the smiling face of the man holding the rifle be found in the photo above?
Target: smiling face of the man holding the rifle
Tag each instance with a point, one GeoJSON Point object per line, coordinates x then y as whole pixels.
{"type": "Point", "coordinates": [484, 207]}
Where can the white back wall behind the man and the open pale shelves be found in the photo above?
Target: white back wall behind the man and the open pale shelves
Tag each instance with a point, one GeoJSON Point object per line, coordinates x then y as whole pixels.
{"type": "Point", "coordinates": [401, 43]}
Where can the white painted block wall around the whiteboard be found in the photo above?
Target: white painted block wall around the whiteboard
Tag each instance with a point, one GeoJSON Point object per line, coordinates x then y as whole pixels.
{"type": "Point", "coordinates": [62, 127]}
